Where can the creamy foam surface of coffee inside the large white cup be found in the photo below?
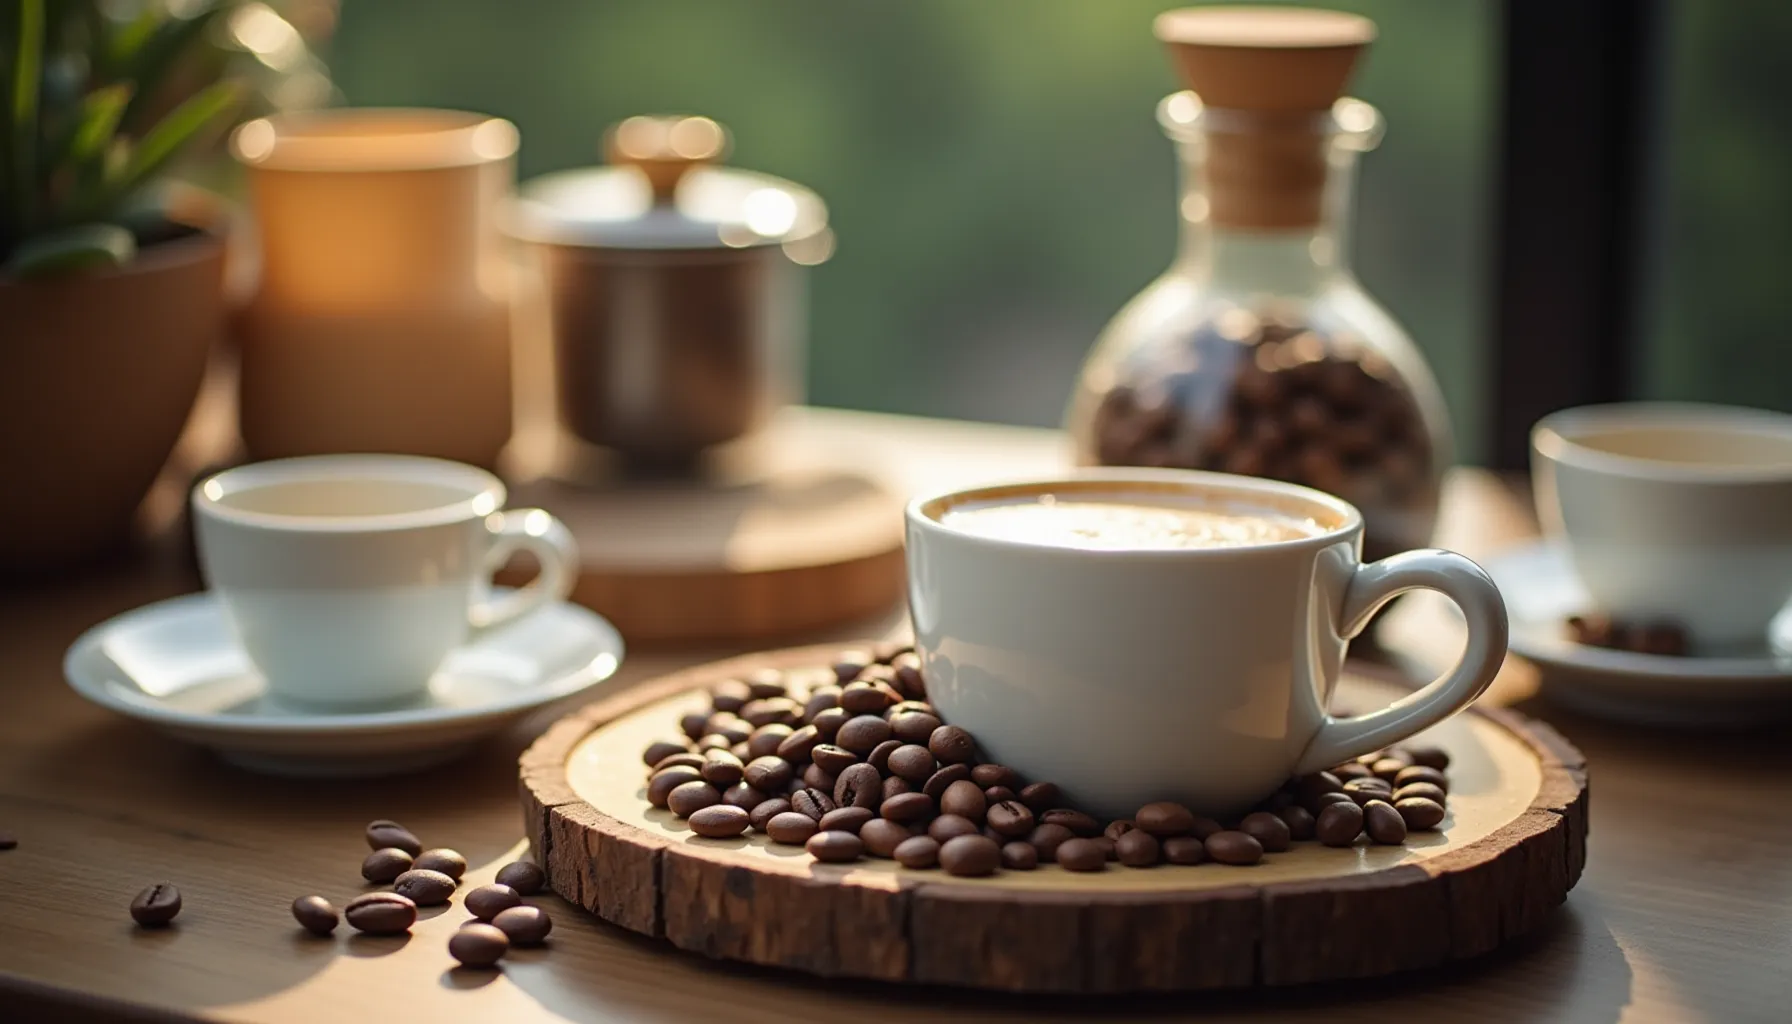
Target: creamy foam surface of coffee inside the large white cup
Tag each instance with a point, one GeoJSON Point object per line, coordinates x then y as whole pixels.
{"type": "Point", "coordinates": [1123, 526]}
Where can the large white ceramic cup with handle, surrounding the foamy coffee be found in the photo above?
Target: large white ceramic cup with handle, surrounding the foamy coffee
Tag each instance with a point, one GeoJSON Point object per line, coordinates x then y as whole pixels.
{"type": "Point", "coordinates": [1200, 675]}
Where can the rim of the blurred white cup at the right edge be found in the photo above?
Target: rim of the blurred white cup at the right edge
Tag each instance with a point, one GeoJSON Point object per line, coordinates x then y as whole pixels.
{"type": "Point", "coordinates": [1555, 440]}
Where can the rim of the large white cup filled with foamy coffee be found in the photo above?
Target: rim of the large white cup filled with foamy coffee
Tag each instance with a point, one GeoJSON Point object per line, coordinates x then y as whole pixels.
{"type": "Point", "coordinates": [1348, 519]}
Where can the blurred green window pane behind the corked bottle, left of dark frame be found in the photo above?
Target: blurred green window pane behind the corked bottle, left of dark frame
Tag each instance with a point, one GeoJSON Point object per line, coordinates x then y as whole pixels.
{"type": "Point", "coordinates": [995, 173]}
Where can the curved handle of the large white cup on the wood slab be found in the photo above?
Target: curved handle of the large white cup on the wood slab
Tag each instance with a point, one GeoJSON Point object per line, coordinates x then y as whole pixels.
{"type": "Point", "coordinates": [1375, 586]}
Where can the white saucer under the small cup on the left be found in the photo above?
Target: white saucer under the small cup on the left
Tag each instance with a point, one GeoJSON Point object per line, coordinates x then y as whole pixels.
{"type": "Point", "coordinates": [178, 668]}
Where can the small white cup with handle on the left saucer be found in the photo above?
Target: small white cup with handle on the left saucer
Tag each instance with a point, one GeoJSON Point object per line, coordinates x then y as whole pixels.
{"type": "Point", "coordinates": [350, 578]}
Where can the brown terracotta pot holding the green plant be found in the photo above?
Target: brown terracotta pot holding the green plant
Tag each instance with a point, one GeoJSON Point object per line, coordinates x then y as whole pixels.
{"type": "Point", "coordinates": [98, 377]}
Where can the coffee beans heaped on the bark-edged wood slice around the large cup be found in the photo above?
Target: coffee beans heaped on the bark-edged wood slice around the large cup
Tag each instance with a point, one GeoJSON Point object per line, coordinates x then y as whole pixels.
{"type": "Point", "coordinates": [852, 761]}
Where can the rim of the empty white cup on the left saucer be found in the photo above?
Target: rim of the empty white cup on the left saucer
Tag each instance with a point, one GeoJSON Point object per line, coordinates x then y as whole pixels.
{"type": "Point", "coordinates": [487, 492]}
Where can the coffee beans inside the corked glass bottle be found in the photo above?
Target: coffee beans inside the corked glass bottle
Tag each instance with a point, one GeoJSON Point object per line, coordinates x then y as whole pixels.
{"type": "Point", "coordinates": [1266, 395]}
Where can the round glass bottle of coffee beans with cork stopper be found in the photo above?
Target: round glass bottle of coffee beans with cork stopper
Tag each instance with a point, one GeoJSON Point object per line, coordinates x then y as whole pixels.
{"type": "Point", "coordinates": [1259, 352]}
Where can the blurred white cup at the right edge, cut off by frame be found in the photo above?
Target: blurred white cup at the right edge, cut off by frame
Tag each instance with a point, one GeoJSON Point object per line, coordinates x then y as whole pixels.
{"type": "Point", "coordinates": [1676, 512]}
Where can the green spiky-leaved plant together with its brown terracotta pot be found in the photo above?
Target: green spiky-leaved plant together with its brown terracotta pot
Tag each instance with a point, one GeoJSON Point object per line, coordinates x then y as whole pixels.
{"type": "Point", "coordinates": [112, 284]}
